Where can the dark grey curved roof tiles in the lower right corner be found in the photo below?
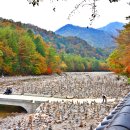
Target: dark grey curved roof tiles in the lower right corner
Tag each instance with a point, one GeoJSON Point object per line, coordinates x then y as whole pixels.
{"type": "Point", "coordinates": [119, 118]}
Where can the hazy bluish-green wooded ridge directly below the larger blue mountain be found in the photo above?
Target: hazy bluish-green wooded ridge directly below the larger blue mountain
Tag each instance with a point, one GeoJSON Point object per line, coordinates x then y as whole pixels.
{"type": "Point", "coordinates": [70, 44]}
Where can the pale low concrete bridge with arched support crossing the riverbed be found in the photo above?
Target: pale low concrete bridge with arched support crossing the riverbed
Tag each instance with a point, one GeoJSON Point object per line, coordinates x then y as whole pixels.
{"type": "Point", "coordinates": [30, 103]}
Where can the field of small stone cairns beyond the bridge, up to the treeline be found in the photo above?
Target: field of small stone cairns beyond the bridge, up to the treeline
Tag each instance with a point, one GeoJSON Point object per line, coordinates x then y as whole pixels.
{"type": "Point", "coordinates": [68, 85]}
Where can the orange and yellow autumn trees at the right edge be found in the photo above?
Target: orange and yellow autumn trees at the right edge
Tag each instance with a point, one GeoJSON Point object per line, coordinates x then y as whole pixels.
{"type": "Point", "coordinates": [119, 60]}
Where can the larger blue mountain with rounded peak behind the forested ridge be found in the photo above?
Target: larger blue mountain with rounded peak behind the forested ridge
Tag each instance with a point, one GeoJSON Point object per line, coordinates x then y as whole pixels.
{"type": "Point", "coordinates": [95, 37]}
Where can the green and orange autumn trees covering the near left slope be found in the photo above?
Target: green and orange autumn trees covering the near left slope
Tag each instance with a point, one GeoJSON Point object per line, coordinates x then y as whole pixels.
{"type": "Point", "coordinates": [23, 53]}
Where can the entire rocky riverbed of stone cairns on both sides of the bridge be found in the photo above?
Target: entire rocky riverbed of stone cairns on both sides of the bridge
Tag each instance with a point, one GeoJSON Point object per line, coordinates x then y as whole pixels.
{"type": "Point", "coordinates": [64, 115]}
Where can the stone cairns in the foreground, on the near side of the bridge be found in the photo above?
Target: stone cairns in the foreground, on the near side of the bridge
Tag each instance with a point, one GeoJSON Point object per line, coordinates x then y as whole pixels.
{"type": "Point", "coordinates": [60, 116]}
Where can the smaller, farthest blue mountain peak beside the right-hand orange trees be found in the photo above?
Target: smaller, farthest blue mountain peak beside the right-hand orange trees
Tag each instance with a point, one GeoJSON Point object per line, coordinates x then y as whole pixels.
{"type": "Point", "coordinates": [113, 28]}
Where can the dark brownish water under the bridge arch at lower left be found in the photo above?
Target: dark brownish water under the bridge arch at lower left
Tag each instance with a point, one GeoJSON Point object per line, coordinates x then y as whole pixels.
{"type": "Point", "coordinates": [7, 110]}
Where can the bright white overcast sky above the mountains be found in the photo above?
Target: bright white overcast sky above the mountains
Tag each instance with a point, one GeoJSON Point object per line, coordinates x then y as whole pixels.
{"type": "Point", "coordinates": [45, 17]}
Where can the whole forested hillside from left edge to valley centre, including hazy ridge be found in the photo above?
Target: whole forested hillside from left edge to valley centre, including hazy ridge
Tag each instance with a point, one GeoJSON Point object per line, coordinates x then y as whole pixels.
{"type": "Point", "coordinates": [23, 51]}
